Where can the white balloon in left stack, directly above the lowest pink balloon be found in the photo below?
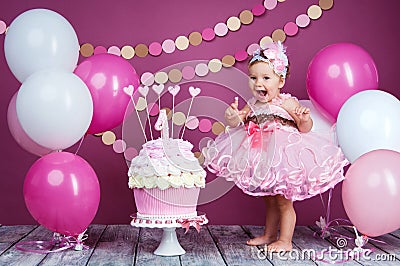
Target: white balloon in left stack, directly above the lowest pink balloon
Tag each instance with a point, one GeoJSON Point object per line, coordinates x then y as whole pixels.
{"type": "Point", "coordinates": [54, 108]}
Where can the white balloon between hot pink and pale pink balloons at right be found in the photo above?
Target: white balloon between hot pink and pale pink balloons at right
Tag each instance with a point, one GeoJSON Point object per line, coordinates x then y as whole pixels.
{"type": "Point", "coordinates": [367, 121]}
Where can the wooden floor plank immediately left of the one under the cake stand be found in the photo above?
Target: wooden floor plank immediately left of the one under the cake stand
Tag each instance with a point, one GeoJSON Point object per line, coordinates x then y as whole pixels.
{"type": "Point", "coordinates": [116, 246]}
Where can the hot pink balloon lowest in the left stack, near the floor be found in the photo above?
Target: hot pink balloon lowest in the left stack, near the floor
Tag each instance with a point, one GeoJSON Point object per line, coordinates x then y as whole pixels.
{"type": "Point", "coordinates": [62, 193]}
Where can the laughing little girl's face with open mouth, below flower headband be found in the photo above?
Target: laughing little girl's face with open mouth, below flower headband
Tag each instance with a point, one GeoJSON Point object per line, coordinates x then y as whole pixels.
{"type": "Point", "coordinates": [263, 82]}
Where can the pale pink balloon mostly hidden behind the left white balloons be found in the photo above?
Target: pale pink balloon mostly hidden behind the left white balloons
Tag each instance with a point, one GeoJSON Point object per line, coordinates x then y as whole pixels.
{"type": "Point", "coordinates": [19, 134]}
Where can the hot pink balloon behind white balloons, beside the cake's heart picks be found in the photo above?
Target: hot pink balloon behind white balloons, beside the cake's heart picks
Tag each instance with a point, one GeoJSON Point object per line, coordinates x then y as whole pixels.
{"type": "Point", "coordinates": [106, 75]}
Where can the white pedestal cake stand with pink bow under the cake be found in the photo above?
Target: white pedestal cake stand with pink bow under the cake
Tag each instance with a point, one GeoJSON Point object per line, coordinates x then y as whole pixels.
{"type": "Point", "coordinates": [169, 245]}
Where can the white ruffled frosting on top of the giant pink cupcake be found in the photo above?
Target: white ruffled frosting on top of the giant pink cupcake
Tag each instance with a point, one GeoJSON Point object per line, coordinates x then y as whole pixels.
{"type": "Point", "coordinates": [165, 163]}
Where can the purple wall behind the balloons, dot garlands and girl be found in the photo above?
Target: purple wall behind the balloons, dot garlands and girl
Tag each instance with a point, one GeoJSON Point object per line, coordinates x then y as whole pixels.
{"type": "Point", "coordinates": [372, 25]}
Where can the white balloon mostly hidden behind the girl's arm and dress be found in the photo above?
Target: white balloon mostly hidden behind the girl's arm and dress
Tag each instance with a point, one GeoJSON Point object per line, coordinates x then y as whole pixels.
{"type": "Point", "coordinates": [321, 125]}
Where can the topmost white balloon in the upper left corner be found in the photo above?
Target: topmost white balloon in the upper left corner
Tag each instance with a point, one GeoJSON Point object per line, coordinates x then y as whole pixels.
{"type": "Point", "coordinates": [40, 39]}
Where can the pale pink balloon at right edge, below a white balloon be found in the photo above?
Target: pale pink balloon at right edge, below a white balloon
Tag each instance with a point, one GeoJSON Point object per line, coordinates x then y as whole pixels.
{"type": "Point", "coordinates": [371, 192]}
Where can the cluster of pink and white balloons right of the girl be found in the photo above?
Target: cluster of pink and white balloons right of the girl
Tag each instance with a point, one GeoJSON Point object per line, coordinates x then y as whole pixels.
{"type": "Point", "coordinates": [342, 83]}
